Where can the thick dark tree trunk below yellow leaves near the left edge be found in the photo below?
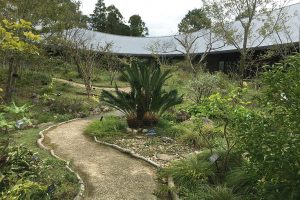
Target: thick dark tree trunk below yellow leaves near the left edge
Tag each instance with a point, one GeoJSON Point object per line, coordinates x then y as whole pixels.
{"type": "Point", "coordinates": [11, 80]}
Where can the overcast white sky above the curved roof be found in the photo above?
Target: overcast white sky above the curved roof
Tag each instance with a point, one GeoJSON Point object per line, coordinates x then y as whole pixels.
{"type": "Point", "coordinates": [160, 16]}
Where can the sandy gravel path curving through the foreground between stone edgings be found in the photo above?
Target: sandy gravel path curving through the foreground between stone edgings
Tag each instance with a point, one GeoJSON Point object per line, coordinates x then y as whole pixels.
{"type": "Point", "coordinates": [107, 173]}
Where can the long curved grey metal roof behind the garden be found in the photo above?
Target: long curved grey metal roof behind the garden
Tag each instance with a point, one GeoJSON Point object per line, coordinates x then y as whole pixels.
{"type": "Point", "coordinates": [168, 45]}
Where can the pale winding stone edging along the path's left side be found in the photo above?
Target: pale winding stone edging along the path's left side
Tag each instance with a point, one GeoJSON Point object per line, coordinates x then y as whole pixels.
{"type": "Point", "coordinates": [80, 193]}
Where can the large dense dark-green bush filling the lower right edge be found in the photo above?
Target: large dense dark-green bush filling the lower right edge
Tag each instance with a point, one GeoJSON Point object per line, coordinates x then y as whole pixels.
{"type": "Point", "coordinates": [270, 139]}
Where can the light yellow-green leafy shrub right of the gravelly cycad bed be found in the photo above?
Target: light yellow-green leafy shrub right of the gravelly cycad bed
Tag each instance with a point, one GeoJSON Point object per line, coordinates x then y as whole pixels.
{"type": "Point", "coordinates": [227, 111]}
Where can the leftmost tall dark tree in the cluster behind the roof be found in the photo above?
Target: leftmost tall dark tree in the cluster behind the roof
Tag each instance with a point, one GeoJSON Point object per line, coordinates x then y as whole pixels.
{"type": "Point", "coordinates": [98, 18]}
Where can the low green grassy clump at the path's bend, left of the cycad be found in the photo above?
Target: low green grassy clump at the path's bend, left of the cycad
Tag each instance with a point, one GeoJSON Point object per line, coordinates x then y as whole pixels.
{"type": "Point", "coordinates": [106, 128]}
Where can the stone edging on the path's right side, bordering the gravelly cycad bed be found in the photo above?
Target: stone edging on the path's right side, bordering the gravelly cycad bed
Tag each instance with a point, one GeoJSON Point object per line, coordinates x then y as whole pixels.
{"type": "Point", "coordinates": [171, 184]}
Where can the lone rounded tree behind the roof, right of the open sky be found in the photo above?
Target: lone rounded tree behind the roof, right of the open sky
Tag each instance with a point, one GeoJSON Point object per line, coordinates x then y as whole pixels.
{"type": "Point", "coordinates": [193, 21]}
